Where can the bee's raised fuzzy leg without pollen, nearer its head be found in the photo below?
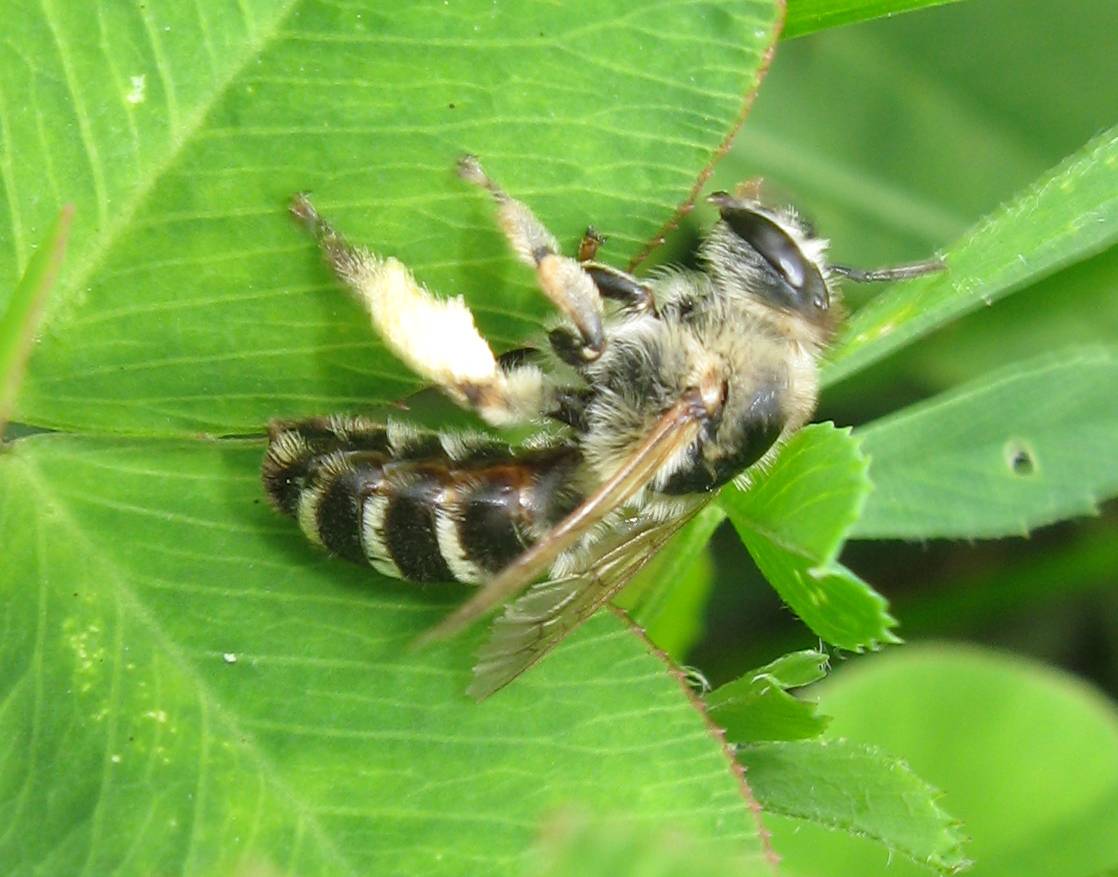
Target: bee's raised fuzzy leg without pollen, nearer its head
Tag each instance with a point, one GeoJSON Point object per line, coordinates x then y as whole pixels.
{"type": "Point", "coordinates": [563, 280]}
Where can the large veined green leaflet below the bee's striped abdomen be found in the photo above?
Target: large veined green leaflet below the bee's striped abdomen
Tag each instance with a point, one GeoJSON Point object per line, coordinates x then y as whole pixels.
{"type": "Point", "coordinates": [192, 684]}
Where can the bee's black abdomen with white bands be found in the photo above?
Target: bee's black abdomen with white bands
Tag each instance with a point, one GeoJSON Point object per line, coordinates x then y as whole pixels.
{"type": "Point", "coordinates": [421, 506]}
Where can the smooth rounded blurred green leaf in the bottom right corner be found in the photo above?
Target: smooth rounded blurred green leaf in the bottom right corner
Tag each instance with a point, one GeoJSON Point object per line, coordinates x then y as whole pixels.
{"type": "Point", "coordinates": [1027, 758]}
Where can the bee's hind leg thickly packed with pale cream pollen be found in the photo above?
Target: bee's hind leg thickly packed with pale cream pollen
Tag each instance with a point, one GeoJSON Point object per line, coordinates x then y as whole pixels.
{"type": "Point", "coordinates": [437, 338]}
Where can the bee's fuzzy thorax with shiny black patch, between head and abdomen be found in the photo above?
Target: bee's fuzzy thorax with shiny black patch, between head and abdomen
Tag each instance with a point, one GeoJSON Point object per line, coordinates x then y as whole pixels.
{"type": "Point", "coordinates": [765, 373]}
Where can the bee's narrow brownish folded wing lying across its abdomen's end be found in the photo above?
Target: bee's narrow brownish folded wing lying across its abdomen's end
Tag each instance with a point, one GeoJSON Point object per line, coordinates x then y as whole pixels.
{"type": "Point", "coordinates": [676, 430]}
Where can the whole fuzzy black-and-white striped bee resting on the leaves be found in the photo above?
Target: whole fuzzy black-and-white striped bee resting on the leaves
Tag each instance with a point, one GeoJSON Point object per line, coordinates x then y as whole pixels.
{"type": "Point", "coordinates": [665, 390]}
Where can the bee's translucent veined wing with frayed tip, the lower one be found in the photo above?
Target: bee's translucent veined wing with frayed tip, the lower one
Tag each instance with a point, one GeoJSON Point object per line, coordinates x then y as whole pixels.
{"type": "Point", "coordinates": [538, 621]}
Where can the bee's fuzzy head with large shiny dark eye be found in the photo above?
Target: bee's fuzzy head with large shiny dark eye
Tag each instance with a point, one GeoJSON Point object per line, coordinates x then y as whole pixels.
{"type": "Point", "coordinates": [773, 256]}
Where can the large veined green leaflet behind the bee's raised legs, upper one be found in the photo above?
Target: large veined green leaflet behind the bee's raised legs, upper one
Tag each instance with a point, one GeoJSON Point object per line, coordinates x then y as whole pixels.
{"type": "Point", "coordinates": [195, 304]}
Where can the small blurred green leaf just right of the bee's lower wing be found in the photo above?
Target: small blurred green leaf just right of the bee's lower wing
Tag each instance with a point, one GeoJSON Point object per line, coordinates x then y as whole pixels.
{"type": "Point", "coordinates": [669, 596]}
